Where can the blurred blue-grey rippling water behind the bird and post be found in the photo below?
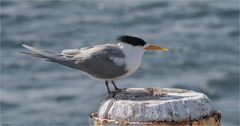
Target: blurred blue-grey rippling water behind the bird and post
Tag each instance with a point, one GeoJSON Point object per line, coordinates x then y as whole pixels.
{"type": "Point", "coordinates": [203, 38]}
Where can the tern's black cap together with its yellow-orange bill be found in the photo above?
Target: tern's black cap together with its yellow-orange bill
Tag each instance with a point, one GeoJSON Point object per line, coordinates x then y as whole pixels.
{"type": "Point", "coordinates": [134, 41]}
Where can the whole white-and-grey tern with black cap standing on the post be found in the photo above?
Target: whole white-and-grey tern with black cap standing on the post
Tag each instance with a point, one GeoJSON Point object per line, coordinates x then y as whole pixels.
{"type": "Point", "coordinates": [107, 62]}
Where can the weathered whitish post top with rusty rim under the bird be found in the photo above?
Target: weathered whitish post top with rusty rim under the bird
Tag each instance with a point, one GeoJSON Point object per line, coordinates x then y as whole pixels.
{"type": "Point", "coordinates": [156, 106]}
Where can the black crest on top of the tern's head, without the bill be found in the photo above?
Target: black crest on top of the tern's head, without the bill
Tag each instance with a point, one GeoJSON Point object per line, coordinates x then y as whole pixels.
{"type": "Point", "coordinates": [131, 40]}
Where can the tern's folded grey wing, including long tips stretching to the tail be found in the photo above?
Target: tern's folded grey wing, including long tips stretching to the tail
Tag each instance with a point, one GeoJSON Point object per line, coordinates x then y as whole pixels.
{"type": "Point", "coordinates": [99, 64]}
